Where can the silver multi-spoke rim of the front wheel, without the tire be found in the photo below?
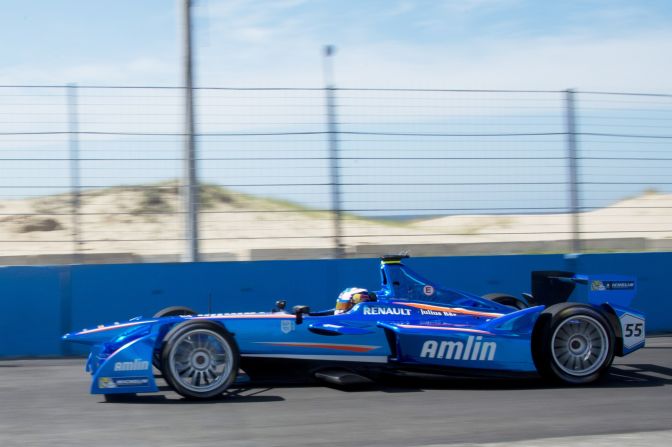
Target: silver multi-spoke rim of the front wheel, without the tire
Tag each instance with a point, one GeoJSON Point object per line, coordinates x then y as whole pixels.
{"type": "Point", "coordinates": [201, 360]}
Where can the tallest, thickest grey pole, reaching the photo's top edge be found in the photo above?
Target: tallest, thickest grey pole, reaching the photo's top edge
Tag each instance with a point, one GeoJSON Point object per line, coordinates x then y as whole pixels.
{"type": "Point", "coordinates": [190, 181]}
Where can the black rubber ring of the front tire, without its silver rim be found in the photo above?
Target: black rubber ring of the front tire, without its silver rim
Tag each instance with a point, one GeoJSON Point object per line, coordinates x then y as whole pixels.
{"type": "Point", "coordinates": [175, 334]}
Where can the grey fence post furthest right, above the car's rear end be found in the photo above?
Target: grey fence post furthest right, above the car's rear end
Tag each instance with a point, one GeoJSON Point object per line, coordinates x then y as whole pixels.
{"type": "Point", "coordinates": [572, 157]}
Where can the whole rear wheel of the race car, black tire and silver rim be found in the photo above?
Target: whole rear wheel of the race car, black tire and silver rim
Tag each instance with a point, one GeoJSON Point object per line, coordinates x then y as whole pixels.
{"type": "Point", "coordinates": [572, 344]}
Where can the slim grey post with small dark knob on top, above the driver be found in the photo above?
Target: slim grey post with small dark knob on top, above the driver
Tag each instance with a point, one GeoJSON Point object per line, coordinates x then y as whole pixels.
{"type": "Point", "coordinates": [334, 168]}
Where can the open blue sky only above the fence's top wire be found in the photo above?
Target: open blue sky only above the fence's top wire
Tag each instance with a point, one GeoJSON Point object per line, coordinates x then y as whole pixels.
{"type": "Point", "coordinates": [589, 44]}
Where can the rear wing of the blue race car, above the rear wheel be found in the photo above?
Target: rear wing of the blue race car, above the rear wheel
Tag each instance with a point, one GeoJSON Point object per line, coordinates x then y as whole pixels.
{"type": "Point", "coordinates": [552, 287]}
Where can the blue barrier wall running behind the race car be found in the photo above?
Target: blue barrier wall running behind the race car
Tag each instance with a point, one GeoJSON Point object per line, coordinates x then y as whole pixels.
{"type": "Point", "coordinates": [41, 303]}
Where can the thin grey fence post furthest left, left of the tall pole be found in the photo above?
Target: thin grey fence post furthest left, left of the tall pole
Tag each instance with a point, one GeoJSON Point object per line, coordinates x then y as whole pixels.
{"type": "Point", "coordinates": [75, 186]}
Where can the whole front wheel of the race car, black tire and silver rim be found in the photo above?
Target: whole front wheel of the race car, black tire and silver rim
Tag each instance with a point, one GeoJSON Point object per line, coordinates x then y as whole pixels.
{"type": "Point", "coordinates": [199, 359]}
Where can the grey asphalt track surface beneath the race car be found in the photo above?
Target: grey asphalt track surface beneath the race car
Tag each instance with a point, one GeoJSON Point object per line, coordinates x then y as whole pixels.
{"type": "Point", "coordinates": [46, 403]}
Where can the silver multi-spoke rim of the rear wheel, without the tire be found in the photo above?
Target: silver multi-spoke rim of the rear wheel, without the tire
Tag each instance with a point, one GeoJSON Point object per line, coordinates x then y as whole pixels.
{"type": "Point", "coordinates": [580, 345]}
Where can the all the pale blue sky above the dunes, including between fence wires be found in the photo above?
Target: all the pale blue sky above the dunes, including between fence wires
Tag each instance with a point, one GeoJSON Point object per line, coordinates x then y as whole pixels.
{"type": "Point", "coordinates": [603, 45]}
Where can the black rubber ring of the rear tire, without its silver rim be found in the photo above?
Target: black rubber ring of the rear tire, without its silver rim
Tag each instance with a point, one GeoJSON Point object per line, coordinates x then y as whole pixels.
{"type": "Point", "coordinates": [542, 339]}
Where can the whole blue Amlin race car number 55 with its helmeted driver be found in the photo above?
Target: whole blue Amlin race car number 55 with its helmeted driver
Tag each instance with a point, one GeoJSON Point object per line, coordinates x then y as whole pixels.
{"type": "Point", "coordinates": [568, 330]}
